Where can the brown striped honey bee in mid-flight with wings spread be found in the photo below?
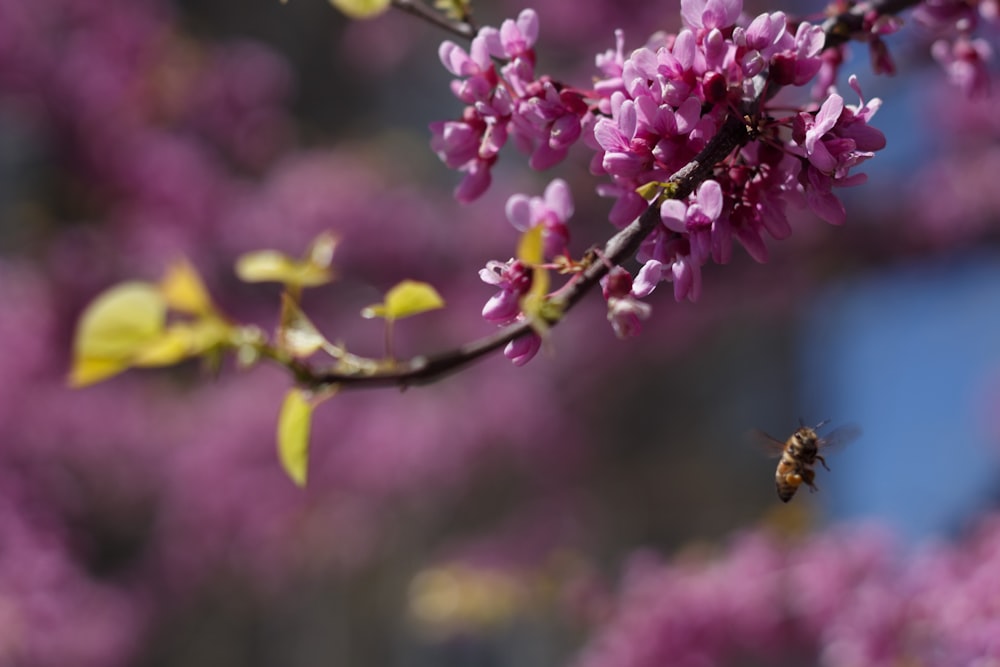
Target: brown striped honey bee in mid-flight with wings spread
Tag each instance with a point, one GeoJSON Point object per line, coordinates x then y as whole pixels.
{"type": "Point", "coordinates": [800, 453]}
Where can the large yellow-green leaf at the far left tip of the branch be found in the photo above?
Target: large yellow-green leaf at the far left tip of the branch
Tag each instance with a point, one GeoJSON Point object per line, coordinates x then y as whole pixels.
{"type": "Point", "coordinates": [114, 328]}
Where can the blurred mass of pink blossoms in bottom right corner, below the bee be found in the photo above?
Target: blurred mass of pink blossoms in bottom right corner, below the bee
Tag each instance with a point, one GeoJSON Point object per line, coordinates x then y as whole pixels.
{"type": "Point", "coordinates": [845, 597]}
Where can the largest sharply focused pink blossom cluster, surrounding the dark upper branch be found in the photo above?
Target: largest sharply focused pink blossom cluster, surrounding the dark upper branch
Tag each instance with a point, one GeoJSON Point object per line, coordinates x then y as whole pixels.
{"type": "Point", "coordinates": [673, 97]}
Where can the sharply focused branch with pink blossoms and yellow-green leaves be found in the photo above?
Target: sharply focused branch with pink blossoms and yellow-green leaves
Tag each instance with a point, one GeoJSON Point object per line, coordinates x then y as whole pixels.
{"type": "Point", "coordinates": [687, 133]}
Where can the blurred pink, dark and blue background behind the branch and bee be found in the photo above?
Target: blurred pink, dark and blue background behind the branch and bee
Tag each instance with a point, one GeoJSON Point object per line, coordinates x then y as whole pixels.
{"type": "Point", "coordinates": [503, 516]}
